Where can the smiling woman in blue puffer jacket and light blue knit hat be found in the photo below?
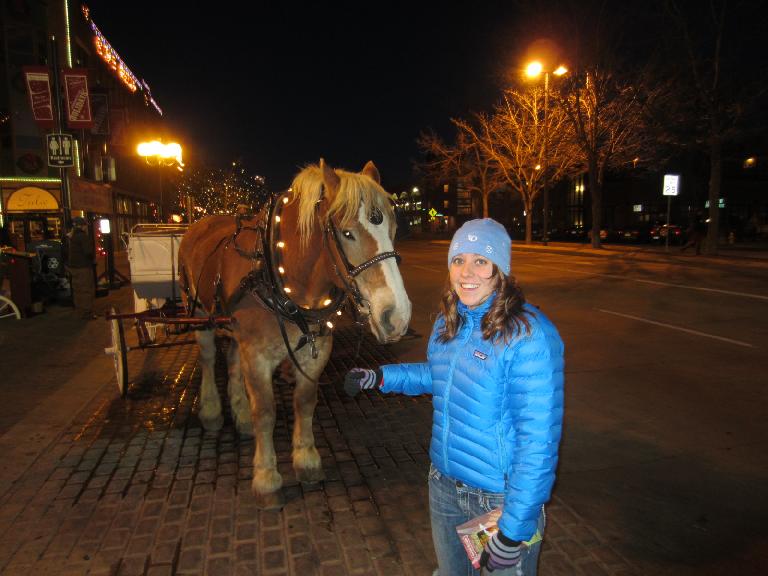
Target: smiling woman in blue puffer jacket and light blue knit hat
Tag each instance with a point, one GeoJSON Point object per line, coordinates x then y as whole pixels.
{"type": "Point", "coordinates": [495, 371]}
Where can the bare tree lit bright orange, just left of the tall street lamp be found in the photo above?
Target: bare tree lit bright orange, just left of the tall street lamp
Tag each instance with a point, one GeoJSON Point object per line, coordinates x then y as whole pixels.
{"type": "Point", "coordinates": [517, 137]}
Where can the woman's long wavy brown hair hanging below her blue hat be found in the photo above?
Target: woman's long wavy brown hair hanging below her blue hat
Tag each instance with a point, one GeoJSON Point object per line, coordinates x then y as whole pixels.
{"type": "Point", "coordinates": [506, 318]}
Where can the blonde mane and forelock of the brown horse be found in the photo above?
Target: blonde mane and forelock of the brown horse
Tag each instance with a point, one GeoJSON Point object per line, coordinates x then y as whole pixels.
{"type": "Point", "coordinates": [354, 188]}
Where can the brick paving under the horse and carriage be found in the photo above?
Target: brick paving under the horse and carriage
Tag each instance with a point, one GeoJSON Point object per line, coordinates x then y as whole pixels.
{"type": "Point", "coordinates": [136, 487]}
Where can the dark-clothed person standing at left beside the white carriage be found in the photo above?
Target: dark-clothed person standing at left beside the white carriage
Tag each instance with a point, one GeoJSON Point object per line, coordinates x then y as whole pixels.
{"type": "Point", "coordinates": [80, 265]}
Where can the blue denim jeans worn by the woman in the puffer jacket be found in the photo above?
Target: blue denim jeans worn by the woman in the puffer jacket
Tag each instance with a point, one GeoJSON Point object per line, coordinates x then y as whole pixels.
{"type": "Point", "coordinates": [452, 503]}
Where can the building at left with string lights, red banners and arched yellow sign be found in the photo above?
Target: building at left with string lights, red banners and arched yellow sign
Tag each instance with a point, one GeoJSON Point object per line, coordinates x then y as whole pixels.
{"type": "Point", "coordinates": [107, 181]}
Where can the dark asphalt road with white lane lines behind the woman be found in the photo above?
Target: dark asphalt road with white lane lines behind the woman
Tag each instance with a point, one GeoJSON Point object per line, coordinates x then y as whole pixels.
{"type": "Point", "coordinates": [665, 441]}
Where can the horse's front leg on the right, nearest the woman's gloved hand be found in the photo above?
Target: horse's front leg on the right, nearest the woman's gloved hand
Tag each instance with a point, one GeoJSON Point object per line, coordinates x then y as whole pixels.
{"type": "Point", "coordinates": [306, 460]}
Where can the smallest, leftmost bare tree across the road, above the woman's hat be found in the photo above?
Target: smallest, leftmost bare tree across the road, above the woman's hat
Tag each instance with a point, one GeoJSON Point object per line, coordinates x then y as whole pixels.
{"type": "Point", "coordinates": [463, 161]}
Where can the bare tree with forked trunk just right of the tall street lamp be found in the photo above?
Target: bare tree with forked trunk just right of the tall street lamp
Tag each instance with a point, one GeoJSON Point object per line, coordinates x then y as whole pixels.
{"type": "Point", "coordinates": [607, 118]}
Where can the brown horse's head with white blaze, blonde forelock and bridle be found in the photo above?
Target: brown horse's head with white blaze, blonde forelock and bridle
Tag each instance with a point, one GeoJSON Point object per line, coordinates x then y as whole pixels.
{"type": "Point", "coordinates": [361, 225]}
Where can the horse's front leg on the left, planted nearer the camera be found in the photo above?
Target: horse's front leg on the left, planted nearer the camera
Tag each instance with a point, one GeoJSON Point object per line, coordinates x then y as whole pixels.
{"type": "Point", "coordinates": [267, 481]}
